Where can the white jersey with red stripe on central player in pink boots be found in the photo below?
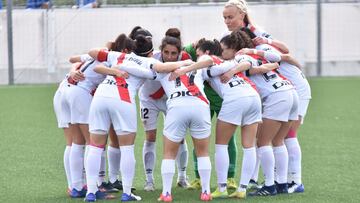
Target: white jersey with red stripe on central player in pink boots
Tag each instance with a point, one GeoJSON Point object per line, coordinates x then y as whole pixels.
{"type": "Point", "coordinates": [184, 89]}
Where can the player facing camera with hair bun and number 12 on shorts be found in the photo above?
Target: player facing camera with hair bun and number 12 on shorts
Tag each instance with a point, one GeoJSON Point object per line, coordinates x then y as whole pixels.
{"type": "Point", "coordinates": [152, 101]}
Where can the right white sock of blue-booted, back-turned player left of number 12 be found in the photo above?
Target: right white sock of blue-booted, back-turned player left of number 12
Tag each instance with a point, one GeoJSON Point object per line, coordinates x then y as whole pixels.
{"type": "Point", "coordinates": [127, 167]}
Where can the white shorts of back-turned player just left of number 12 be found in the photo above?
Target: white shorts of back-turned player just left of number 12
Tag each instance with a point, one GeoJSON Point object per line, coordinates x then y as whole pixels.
{"type": "Point", "coordinates": [106, 111]}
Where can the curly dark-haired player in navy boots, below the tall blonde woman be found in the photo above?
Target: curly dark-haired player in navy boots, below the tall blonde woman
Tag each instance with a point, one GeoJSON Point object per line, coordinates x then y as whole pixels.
{"type": "Point", "coordinates": [279, 101]}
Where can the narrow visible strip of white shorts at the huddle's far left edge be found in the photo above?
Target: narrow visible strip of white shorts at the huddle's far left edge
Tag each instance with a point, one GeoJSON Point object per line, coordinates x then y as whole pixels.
{"type": "Point", "coordinates": [58, 97]}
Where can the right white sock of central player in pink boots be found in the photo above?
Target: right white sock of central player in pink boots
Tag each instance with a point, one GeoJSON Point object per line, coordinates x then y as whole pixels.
{"type": "Point", "coordinates": [204, 167]}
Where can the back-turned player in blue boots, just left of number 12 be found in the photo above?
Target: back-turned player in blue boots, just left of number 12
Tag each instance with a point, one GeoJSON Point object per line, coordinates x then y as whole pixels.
{"type": "Point", "coordinates": [114, 102]}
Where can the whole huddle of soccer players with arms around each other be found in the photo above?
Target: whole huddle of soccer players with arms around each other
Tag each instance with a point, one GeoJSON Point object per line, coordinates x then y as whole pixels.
{"type": "Point", "coordinates": [246, 78]}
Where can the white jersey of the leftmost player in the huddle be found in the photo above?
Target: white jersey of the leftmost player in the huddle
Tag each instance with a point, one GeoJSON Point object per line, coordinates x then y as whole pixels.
{"type": "Point", "coordinates": [92, 79]}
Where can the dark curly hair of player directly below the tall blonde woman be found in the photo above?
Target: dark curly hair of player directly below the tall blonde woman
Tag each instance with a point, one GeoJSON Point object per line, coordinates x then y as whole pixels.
{"type": "Point", "coordinates": [237, 40]}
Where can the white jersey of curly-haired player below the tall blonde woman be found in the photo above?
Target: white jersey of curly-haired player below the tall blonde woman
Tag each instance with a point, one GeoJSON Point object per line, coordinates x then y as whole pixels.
{"type": "Point", "coordinates": [266, 83]}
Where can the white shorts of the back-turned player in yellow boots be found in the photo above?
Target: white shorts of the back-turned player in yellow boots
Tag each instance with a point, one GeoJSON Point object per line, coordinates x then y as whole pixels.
{"type": "Point", "coordinates": [241, 111]}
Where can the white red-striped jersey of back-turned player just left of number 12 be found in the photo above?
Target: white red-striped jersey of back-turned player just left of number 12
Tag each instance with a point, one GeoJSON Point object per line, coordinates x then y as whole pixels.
{"type": "Point", "coordinates": [120, 88]}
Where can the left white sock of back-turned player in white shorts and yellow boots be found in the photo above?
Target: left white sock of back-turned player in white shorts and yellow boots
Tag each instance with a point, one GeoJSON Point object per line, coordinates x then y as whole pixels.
{"type": "Point", "coordinates": [221, 165]}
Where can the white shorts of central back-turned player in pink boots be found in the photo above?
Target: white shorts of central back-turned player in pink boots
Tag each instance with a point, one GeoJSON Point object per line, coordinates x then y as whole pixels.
{"type": "Point", "coordinates": [180, 118]}
